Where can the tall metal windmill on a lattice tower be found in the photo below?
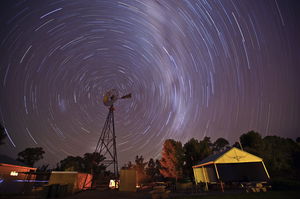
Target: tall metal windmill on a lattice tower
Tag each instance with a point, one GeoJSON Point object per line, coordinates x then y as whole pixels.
{"type": "Point", "coordinates": [106, 144]}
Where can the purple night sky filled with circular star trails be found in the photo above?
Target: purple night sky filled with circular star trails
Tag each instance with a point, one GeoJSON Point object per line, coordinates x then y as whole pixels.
{"type": "Point", "coordinates": [215, 68]}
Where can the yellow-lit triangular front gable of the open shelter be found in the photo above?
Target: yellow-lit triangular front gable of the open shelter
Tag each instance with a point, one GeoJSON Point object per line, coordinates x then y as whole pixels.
{"type": "Point", "coordinates": [237, 156]}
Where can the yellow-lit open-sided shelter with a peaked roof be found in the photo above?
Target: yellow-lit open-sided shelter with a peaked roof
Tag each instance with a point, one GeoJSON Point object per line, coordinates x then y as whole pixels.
{"type": "Point", "coordinates": [232, 165]}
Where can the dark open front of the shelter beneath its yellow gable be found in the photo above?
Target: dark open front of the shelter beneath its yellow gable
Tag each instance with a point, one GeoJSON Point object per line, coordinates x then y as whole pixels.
{"type": "Point", "coordinates": [243, 172]}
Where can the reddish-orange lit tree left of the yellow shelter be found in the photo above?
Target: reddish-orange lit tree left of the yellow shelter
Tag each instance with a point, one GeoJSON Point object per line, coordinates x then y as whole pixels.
{"type": "Point", "coordinates": [172, 159]}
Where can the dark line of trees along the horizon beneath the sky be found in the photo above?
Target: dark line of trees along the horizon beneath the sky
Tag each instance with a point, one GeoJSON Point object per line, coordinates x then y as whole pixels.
{"type": "Point", "coordinates": [281, 157]}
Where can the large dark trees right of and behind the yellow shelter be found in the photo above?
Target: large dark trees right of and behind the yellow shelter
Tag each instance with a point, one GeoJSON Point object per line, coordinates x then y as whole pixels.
{"type": "Point", "coordinates": [281, 155]}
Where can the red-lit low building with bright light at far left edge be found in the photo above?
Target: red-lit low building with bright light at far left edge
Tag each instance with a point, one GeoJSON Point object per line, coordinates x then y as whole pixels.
{"type": "Point", "coordinates": [13, 176]}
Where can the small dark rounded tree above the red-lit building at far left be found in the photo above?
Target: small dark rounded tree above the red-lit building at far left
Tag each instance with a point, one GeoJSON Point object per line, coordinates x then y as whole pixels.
{"type": "Point", "coordinates": [31, 155]}
